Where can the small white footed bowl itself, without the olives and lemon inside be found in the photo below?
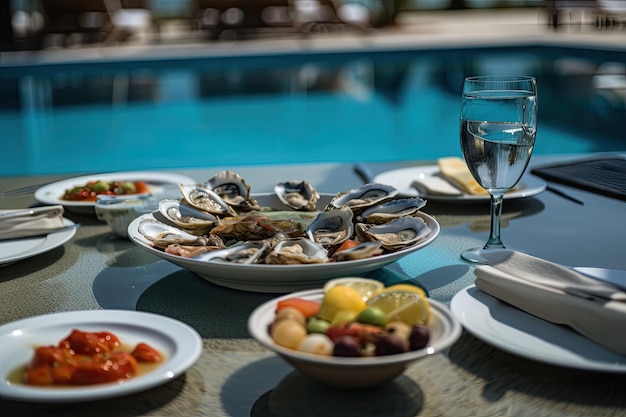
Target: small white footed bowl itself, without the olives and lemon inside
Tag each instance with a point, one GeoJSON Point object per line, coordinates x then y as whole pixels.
{"type": "Point", "coordinates": [353, 372]}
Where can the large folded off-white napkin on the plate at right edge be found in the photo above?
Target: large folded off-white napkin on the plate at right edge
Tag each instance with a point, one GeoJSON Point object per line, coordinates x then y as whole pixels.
{"type": "Point", "coordinates": [595, 309]}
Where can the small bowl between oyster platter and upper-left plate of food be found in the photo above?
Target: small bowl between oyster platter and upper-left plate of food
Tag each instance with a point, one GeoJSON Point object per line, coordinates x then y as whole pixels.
{"type": "Point", "coordinates": [119, 211]}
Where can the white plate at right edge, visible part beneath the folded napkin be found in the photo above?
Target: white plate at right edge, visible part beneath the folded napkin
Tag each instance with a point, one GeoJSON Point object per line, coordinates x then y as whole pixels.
{"type": "Point", "coordinates": [520, 333]}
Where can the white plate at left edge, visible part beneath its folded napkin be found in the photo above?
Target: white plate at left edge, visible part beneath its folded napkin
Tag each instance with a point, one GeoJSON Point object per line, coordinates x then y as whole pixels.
{"type": "Point", "coordinates": [17, 249]}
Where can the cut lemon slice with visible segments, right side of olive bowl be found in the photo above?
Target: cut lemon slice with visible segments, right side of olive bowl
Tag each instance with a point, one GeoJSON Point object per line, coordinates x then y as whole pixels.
{"type": "Point", "coordinates": [411, 307]}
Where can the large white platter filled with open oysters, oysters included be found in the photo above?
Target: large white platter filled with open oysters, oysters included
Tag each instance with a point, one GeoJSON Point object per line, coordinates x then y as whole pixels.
{"type": "Point", "coordinates": [283, 241]}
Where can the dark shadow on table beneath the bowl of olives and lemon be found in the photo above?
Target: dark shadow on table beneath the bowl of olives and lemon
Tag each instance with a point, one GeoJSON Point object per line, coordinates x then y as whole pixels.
{"type": "Point", "coordinates": [298, 395]}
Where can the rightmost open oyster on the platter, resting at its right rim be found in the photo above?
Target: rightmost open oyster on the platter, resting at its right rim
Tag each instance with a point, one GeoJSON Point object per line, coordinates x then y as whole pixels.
{"type": "Point", "coordinates": [396, 234]}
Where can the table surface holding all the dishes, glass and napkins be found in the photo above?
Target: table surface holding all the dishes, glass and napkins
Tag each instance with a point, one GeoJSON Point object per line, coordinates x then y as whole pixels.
{"type": "Point", "coordinates": [235, 376]}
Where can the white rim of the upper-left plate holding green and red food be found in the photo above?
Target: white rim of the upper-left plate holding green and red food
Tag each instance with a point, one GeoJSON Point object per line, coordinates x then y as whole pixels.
{"type": "Point", "coordinates": [51, 193]}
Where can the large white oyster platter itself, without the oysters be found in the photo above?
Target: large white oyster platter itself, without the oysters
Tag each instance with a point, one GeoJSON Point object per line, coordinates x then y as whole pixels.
{"type": "Point", "coordinates": [278, 278]}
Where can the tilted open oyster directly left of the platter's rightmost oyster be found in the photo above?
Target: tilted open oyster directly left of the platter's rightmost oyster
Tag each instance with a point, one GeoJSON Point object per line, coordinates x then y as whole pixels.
{"type": "Point", "coordinates": [331, 227]}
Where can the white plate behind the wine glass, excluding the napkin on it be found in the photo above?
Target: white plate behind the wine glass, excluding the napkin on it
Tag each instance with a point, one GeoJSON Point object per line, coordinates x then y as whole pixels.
{"type": "Point", "coordinates": [403, 179]}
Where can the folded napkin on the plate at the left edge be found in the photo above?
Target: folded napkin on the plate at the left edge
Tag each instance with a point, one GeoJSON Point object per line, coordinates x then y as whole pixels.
{"type": "Point", "coordinates": [37, 221]}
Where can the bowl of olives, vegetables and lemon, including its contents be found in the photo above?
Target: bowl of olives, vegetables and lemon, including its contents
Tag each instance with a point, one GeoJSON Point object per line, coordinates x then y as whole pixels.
{"type": "Point", "coordinates": [336, 339]}
